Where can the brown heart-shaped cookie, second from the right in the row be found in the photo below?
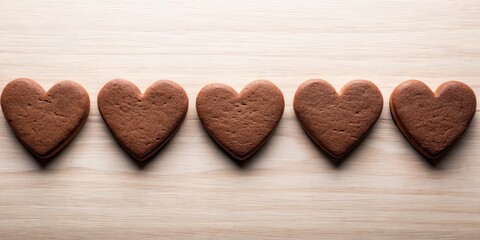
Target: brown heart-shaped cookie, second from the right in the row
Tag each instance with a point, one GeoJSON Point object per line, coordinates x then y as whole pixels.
{"type": "Point", "coordinates": [337, 122]}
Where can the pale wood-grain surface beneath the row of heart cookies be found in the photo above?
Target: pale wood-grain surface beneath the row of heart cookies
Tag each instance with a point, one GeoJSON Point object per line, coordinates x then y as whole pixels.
{"type": "Point", "coordinates": [192, 190]}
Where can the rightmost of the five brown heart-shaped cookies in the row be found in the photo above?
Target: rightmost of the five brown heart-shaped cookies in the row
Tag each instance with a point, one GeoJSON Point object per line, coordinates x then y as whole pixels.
{"type": "Point", "coordinates": [432, 121]}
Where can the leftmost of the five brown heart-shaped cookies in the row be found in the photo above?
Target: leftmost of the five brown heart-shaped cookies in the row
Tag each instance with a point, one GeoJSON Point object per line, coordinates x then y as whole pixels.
{"type": "Point", "coordinates": [45, 122]}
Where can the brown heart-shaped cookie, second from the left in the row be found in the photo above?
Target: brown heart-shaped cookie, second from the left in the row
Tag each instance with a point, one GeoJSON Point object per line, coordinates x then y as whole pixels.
{"type": "Point", "coordinates": [142, 124]}
